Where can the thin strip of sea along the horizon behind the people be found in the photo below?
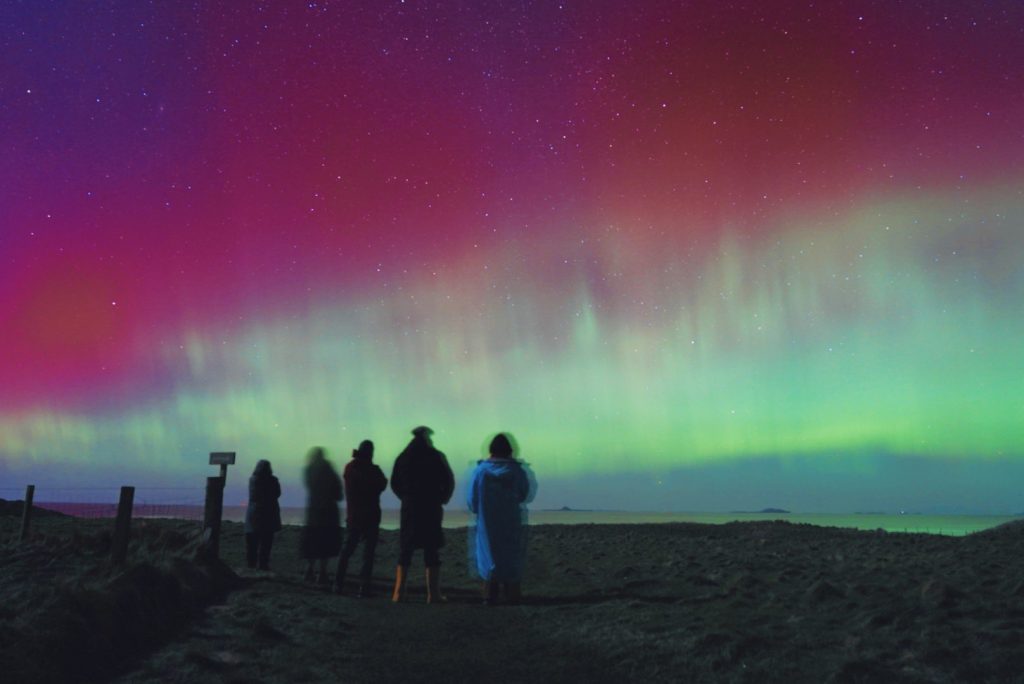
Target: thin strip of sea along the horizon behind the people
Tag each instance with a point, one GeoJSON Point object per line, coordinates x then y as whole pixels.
{"type": "Point", "coordinates": [890, 523]}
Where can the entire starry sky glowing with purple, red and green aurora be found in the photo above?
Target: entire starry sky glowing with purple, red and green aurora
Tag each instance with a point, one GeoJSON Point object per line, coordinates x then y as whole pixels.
{"type": "Point", "coordinates": [695, 255]}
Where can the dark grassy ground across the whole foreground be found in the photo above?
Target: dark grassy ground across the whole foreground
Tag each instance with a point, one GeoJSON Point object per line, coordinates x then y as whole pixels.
{"type": "Point", "coordinates": [742, 603]}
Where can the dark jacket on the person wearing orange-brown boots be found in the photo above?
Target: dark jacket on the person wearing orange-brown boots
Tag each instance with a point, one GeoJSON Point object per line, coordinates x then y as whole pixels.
{"type": "Point", "coordinates": [423, 482]}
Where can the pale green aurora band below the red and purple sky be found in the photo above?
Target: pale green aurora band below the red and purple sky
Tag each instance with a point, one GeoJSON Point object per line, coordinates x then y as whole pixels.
{"type": "Point", "coordinates": [894, 329]}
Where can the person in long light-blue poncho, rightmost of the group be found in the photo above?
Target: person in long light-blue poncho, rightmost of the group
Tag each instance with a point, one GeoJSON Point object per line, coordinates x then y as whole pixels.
{"type": "Point", "coordinates": [497, 494]}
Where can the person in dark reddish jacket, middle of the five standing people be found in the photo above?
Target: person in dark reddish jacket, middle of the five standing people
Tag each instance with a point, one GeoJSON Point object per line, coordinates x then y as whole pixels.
{"type": "Point", "coordinates": [364, 484]}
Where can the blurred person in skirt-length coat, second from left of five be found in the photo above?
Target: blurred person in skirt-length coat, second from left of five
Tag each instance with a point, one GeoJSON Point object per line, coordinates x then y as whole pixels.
{"type": "Point", "coordinates": [322, 534]}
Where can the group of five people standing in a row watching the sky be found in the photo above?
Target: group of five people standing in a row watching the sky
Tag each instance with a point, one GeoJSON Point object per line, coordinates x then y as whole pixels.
{"type": "Point", "coordinates": [423, 482]}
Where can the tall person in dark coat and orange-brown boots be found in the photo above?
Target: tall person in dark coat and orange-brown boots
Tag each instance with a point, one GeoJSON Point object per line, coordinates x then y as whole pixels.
{"type": "Point", "coordinates": [423, 482]}
